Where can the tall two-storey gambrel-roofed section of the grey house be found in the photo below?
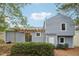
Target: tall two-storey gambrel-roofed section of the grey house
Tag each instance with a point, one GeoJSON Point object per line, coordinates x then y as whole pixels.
{"type": "Point", "coordinates": [59, 30]}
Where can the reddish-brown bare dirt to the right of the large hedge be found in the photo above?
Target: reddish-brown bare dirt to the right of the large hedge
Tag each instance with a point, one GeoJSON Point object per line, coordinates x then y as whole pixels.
{"type": "Point", "coordinates": [67, 52]}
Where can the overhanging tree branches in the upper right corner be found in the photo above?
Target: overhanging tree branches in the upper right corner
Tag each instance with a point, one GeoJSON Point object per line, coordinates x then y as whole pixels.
{"type": "Point", "coordinates": [71, 9]}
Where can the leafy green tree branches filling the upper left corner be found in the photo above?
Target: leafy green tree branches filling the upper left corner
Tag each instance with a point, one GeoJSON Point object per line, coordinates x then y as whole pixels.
{"type": "Point", "coordinates": [11, 10]}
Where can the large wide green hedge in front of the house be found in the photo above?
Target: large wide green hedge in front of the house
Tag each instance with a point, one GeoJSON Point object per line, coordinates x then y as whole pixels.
{"type": "Point", "coordinates": [32, 49]}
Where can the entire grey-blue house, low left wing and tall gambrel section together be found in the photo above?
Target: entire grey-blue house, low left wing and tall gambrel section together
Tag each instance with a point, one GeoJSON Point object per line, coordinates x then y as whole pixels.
{"type": "Point", "coordinates": [56, 30]}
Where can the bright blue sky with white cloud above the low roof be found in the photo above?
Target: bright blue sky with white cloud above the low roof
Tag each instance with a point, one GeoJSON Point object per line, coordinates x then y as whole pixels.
{"type": "Point", "coordinates": [37, 13]}
